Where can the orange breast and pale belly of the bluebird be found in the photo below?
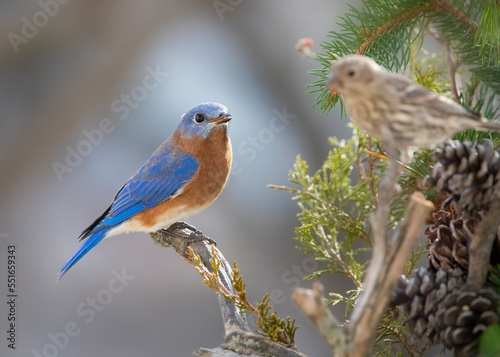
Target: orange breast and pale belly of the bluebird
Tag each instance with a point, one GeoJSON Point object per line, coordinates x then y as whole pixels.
{"type": "Point", "coordinates": [214, 155]}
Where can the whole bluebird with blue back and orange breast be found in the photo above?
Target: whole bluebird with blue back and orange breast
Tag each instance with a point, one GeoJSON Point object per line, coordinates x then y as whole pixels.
{"type": "Point", "coordinates": [182, 178]}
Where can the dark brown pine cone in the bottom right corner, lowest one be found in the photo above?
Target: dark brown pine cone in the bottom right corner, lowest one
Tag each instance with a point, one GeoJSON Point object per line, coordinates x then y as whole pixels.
{"type": "Point", "coordinates": [463, 316]}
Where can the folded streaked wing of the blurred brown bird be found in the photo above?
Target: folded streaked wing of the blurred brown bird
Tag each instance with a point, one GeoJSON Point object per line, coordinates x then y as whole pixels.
{"type": "Point", "coordinates": [412, 94]}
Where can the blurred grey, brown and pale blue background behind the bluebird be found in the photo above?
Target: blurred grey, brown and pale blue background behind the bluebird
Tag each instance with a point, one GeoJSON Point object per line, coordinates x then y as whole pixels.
{"type": "Point", "coordinates": [68, 68]}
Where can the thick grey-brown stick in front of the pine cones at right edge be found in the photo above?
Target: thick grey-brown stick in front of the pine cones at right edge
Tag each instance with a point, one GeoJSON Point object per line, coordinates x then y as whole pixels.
{"type": "Point", "coordinates": [480, 249]}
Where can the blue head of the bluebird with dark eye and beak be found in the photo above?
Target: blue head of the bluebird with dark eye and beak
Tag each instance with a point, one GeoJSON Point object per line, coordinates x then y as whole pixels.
{"type": "Point", "coordinates": [203, 119]}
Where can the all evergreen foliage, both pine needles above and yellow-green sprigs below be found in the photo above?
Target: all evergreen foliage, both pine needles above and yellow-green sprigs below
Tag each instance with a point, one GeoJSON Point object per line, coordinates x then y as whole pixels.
{"type": "Point", "coordinates": [337, 200]}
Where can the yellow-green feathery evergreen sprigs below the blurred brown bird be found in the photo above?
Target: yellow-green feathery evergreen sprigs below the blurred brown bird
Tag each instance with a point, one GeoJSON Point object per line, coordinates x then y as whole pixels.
{"type": "Point", "coordinates": [335, 203]}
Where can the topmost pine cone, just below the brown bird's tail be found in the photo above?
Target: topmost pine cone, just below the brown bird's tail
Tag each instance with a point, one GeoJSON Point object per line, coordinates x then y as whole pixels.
{"type": "Point", "coordinates": [470, 173]}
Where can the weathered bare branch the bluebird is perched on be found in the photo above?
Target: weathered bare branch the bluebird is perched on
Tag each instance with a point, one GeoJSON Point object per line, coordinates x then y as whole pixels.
{"type": "Point", "coordinates": [239, 339]}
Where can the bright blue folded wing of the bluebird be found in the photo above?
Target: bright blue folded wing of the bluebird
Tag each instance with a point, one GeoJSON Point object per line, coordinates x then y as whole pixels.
{"type": "Point", "coordinates": [160, 178]}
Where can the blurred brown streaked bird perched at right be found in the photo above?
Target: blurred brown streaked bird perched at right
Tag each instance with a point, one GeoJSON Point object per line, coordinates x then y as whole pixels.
{"type": "Point", "coordinates": [394, 110]}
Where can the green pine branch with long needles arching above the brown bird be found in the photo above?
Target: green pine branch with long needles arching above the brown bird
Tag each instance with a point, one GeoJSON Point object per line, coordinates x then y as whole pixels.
{"type": "Point", "coordinates": [386, 30]}
